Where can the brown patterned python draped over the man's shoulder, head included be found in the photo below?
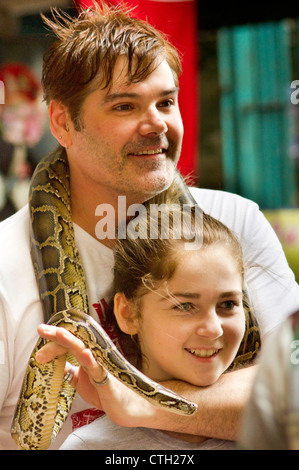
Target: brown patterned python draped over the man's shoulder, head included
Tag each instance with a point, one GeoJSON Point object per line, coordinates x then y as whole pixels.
{"type": "Point", "coordinates": [45, 399]}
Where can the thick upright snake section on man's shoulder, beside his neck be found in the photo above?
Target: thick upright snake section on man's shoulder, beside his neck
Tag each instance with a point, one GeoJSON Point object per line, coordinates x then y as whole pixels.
{"type": "Point", "coordinates": [61, 279]}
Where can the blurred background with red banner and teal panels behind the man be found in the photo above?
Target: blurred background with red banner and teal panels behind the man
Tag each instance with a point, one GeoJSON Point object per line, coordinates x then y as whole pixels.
{"type": "Point", "coordinates": [238, 100]}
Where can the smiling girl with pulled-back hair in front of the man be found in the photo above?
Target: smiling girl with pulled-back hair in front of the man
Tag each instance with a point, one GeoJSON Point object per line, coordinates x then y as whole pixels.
{"type": "Point", "coordinates": [182, 314]}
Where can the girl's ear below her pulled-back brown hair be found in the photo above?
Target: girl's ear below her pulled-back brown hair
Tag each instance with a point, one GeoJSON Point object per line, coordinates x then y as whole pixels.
{"type": "Point", "coordinates": [125, 314]}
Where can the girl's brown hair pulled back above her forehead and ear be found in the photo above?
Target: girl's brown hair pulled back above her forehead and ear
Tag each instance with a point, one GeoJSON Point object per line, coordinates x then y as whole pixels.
{"type": "Point", "coordinates": [153, 260]}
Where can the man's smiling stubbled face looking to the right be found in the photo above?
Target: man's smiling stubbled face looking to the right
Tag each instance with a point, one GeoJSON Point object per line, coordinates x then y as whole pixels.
{"type": "Point", "coordinates": [131, 136]}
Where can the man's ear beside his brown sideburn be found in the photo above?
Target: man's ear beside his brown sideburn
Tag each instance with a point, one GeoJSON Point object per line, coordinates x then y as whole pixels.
{"type": "Point", "coordinates": [60, 123]}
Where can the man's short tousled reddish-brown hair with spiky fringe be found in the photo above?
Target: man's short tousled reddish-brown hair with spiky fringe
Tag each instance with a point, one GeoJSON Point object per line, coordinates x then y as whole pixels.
{"type": "Point", "coordinates": [84, 54]}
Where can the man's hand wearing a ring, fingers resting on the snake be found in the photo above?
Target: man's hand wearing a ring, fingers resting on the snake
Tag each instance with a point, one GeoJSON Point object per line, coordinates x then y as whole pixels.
{"type": "Point", "coordinates": [122, 405]}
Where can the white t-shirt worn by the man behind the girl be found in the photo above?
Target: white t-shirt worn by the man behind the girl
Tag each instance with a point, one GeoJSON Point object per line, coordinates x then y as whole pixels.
{"type": "Point", "coordinates": [271, 283]}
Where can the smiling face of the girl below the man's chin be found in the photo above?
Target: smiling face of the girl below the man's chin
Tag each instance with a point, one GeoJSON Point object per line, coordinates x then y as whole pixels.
{"type": "Point", "coordinates": [191, 327]}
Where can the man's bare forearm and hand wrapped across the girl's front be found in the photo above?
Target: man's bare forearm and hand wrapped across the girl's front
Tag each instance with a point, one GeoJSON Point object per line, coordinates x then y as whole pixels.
{"type": "Point", "coordinates": [220, 406]}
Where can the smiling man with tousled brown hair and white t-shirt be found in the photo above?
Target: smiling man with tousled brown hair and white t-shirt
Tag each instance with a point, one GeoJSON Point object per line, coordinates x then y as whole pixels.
{"type": "Point", "coordinates": [111, 83]}
